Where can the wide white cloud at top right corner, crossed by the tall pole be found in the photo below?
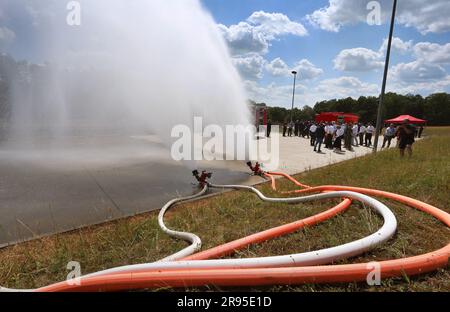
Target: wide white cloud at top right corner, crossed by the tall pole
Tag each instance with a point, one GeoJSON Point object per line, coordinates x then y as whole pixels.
{"type": "Point", "coordinates": [425, 16]}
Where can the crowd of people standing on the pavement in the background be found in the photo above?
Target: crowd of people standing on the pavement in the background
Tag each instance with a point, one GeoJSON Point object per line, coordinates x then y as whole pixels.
{"type": "Point", "coordinates": [334, 135]}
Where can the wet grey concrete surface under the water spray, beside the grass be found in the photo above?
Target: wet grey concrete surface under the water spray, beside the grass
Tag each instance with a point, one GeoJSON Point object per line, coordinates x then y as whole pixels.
{"type": "Point", "coordinates": [42, 194]}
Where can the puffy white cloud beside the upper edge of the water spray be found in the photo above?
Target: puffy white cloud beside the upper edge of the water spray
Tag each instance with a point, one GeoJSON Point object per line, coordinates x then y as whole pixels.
{"type": "Point", "coordinates": [255, 34]}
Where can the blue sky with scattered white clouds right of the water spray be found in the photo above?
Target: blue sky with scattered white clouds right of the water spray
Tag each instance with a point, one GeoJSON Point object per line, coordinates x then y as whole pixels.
{"type": "Point", "coordinates": [338, 45]}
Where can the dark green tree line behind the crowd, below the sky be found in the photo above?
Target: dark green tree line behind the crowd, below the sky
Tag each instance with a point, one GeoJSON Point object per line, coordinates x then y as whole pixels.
{"type": "Point", "coordinates": [434, 108]}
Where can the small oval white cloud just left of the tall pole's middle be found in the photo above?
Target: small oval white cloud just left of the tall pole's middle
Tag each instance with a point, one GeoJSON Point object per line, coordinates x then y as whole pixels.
{"type": "Point", "coordinates": [358, 60]}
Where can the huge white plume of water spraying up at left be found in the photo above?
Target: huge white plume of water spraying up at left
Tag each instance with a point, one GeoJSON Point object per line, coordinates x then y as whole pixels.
{"type": "Point", "coordinates": [130, 67]}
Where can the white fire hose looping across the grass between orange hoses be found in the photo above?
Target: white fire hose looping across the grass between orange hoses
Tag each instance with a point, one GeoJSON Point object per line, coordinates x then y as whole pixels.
{"type": "Point", "coordinates": [317, 257]}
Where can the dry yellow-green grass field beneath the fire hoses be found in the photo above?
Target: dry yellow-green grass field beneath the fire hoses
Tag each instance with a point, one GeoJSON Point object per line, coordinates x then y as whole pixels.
{"type": "Point", "coordinates": [218, 219]}
